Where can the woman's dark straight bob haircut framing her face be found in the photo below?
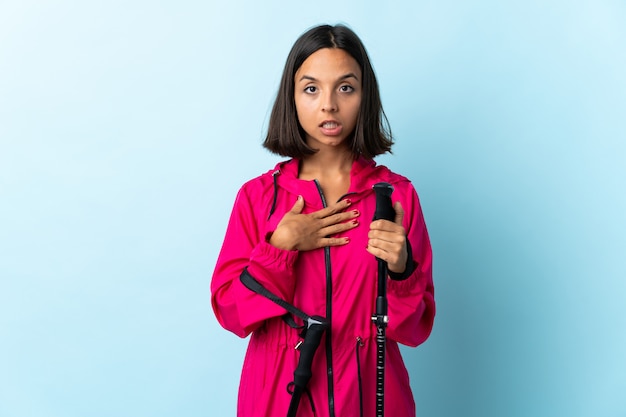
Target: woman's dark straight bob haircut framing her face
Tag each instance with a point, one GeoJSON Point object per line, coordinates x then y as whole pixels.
{"type": "Point", "coordinates": [286, 137]}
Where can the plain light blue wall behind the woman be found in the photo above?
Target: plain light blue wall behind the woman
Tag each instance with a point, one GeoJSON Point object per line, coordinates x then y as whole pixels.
{"type": "Point", "coordinates": [126, 128]}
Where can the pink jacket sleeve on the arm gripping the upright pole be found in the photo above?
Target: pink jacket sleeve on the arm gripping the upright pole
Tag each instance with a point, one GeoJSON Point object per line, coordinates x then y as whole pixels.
{"type": "Point", "coordinates": [411, 301]}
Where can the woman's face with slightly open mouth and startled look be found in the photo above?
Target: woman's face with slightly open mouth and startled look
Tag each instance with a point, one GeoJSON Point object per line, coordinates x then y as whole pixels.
{"type": "Point", "coordinates": [328, 97]}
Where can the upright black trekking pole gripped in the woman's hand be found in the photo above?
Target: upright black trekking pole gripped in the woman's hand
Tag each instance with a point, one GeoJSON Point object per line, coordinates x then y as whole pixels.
{"type": "Point", "coordinates": [384, 210]}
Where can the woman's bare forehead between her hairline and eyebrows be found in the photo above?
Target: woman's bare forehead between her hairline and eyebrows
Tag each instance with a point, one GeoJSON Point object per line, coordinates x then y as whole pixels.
{"type": "Point", "coordinates": [329, 63]}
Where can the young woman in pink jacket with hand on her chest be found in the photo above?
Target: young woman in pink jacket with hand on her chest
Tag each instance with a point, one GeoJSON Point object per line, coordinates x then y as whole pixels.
{"type": "Point", "coordinates": [304, 232]}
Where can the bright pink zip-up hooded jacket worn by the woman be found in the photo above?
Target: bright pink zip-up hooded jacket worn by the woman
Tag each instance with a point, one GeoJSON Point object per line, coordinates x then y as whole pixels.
{"type": "Point", "coordinates": [338, 283]}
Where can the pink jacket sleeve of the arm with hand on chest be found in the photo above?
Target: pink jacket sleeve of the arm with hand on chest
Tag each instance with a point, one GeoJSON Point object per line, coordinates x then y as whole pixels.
{"type": "Point", "coordinates": [237, 308]}
